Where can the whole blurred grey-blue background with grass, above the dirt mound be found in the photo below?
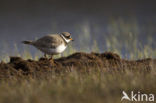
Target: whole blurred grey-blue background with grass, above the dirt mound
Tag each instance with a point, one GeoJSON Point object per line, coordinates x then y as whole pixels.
{"type": "Point", "coordinates": [127, 27]}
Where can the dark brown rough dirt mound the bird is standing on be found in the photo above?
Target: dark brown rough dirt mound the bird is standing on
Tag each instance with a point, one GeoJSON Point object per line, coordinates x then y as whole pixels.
{"type": "Point", "coordinates": [80, 61]}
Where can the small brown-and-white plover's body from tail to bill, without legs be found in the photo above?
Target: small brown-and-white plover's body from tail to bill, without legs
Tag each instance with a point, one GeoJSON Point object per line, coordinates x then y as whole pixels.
{"type": "Point", "coordinates": [51, 44]}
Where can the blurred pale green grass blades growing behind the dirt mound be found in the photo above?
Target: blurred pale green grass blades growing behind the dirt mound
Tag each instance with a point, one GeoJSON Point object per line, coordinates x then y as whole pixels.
{"type": "Point", "coordinates": [122, 36]}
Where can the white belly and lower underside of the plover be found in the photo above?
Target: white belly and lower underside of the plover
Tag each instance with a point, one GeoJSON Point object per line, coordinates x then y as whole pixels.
{"type": "Point", "coordinates": [57, 50]}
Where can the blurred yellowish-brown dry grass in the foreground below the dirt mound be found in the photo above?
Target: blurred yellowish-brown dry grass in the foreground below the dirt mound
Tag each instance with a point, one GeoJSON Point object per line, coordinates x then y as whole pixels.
{"type": "Point", "coordinates": [93, 87]}
